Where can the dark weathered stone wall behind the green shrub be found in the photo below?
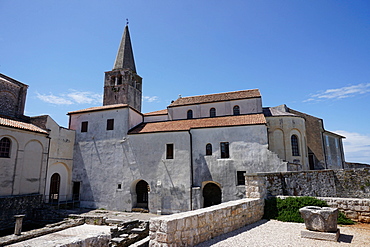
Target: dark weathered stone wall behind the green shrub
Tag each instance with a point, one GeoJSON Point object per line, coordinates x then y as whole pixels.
{"type": "Point", "coordinates": [346, 183]}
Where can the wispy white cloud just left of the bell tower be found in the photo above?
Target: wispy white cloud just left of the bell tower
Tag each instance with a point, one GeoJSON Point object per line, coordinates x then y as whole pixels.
{"type": "Point", "coordinates": [72, 97]}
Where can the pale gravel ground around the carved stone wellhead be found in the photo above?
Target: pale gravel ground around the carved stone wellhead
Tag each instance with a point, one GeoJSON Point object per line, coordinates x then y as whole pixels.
{"type": "Point", "coordinates": [276, 233]}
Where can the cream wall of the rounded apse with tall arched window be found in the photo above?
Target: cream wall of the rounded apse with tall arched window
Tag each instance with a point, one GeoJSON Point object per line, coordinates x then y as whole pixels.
{"type": "Point", "coordinates": [281, 128]}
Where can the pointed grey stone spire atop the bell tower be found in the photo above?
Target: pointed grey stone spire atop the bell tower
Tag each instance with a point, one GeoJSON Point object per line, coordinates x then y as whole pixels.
{"type": "Point", "coordinates": [125, 55]}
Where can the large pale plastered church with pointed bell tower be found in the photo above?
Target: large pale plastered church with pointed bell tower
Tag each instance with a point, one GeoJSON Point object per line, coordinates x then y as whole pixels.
{"type": "Point", "coordinates": [191, 155]}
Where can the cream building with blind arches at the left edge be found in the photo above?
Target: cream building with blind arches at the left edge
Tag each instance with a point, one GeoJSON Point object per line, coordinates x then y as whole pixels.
{"type": "Point", "coordinates": [36, 156]}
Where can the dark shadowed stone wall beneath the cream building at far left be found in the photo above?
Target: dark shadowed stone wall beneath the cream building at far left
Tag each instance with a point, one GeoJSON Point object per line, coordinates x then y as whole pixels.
{"type": "Point", "coordinates": [13, 205]}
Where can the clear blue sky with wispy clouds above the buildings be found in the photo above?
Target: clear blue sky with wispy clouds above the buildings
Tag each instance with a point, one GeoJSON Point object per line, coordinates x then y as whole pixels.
{"type": "Point", "coordinates": [313, 56]}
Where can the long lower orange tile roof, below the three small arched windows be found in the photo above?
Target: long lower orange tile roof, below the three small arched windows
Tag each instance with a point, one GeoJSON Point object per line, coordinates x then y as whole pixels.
{"type": "Point", "coordinates": [183, 125]}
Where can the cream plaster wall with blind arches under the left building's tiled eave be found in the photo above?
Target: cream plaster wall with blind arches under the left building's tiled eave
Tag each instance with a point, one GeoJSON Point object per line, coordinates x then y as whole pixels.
{"type": "Point", "coordinates": [25, 171]}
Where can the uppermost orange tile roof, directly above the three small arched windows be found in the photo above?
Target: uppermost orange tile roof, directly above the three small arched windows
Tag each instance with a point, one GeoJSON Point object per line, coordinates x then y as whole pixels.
{"type": "Point", "coordinates": [209, 98]}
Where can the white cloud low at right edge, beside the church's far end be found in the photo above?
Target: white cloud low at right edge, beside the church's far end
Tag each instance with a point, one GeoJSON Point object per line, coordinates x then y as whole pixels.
{"type": "Point", "coordinates": [356, 146]}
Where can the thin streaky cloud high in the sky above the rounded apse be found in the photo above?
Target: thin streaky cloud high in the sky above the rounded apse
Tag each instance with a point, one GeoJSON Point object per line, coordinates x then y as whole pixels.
{"type": "Point", "coordinates": [340, 93]}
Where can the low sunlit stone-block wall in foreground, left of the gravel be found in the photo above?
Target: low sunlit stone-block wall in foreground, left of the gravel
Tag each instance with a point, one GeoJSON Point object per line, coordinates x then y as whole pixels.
{"type": "Point", "coordinates": [193, 227]}
